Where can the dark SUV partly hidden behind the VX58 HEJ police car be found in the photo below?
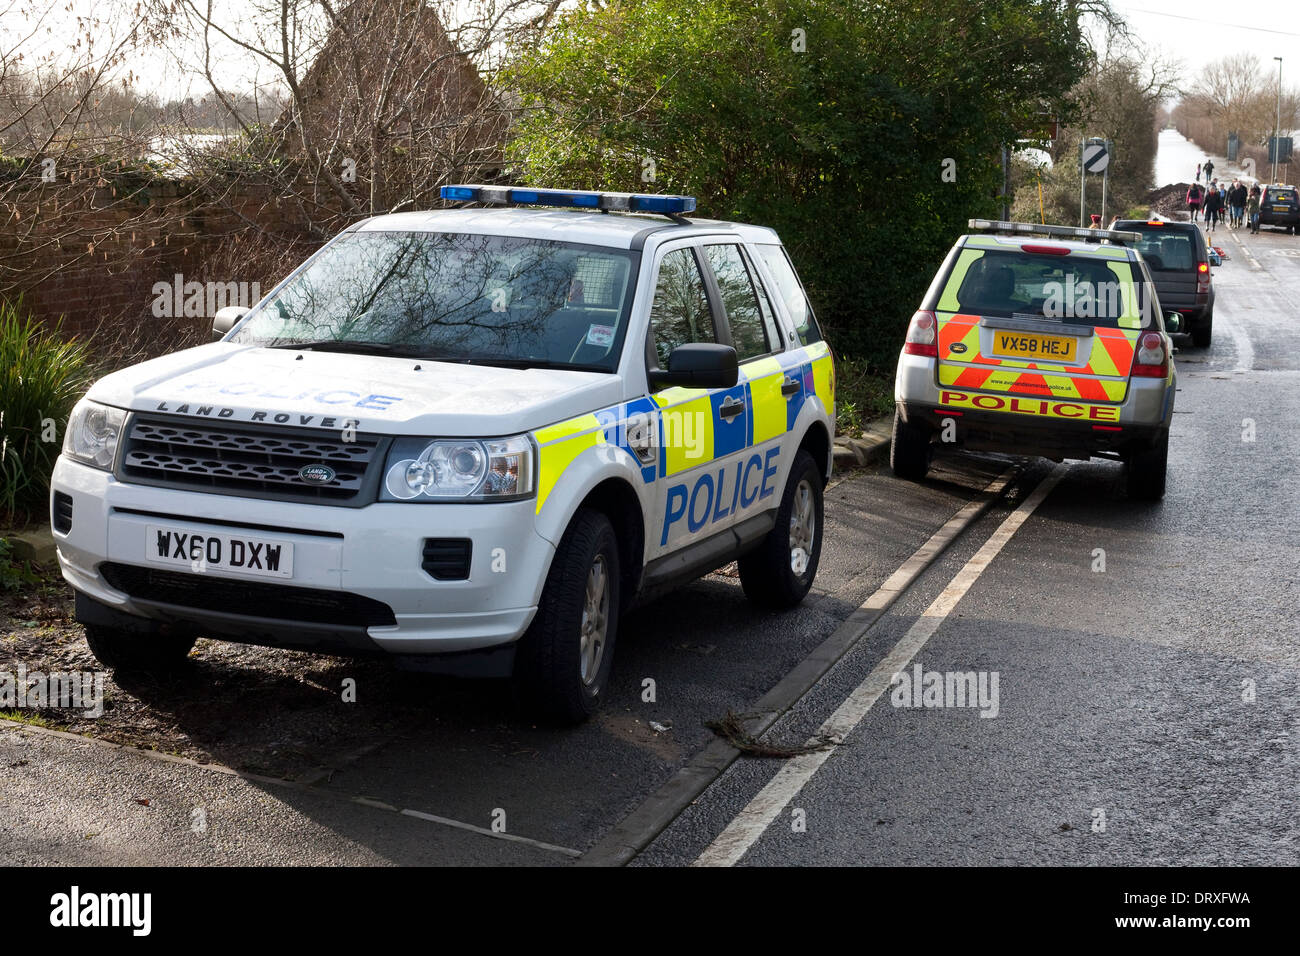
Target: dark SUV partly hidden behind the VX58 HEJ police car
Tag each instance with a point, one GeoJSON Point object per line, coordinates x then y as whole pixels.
{"type": "Point", "coordinates": [1178, 261]}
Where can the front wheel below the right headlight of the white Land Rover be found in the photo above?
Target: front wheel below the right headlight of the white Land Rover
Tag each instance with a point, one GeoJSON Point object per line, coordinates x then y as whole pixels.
{"type": "Point", "coordinates": [564, 661]}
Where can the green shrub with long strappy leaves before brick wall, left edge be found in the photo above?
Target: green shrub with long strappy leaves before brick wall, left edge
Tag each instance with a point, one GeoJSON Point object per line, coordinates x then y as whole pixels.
{"type": "Point", "coordinates": [41, 379]}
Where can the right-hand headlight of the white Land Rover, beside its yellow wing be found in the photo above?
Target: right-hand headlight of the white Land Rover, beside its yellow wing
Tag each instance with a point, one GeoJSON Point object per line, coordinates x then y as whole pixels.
{"type": "Point", "coordinates": [462, 470]}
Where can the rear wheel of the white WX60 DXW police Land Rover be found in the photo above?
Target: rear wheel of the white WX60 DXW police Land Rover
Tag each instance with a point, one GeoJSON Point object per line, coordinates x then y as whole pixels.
{"type": "Point", "coordinates": [779, 573]}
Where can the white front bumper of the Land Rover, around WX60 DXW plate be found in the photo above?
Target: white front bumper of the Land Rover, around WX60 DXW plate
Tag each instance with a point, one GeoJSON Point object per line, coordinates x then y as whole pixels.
{"type": "Point", "coordinates": [370, 556]}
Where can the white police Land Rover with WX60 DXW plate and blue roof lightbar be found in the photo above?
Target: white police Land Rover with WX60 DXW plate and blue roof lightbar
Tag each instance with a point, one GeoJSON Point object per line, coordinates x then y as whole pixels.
{"type": "Point", "coordinates": [469, 439]}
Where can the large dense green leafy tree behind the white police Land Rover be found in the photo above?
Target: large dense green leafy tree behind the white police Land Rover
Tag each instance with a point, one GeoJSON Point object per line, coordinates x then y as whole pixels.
{"type": "Point", "coordinates": [866, 133]}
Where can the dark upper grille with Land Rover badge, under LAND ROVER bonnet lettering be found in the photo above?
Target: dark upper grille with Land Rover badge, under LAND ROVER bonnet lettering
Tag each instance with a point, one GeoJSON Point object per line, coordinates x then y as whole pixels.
{"type": "Point", "coordinates": [246, 460]}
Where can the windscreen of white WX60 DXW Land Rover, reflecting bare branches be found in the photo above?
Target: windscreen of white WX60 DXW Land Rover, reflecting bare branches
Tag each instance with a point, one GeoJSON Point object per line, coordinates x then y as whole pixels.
{"type": "Point", "coordinates": [456, 297]}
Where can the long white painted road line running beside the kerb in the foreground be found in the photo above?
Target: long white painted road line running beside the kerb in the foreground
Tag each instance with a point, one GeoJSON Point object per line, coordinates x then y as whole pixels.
{"type": "Point", "coordinates": [764, 810]}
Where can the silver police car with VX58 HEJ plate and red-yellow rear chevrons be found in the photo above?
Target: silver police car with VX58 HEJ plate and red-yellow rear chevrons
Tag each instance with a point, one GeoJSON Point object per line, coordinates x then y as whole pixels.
{"type": "Point", "coordinates": [1041, 340]}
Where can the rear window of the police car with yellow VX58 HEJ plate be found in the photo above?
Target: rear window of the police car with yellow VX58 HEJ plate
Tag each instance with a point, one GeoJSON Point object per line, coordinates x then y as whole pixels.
{"type": "Point", "coordinates": [1076, 291]}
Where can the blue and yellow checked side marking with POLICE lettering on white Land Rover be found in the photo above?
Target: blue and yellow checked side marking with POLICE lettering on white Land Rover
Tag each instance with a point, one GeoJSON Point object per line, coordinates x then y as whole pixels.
{"type": "Point", "coordinates": [694, 432]}
